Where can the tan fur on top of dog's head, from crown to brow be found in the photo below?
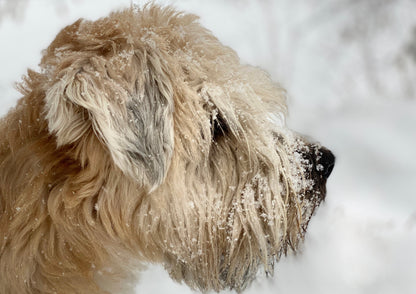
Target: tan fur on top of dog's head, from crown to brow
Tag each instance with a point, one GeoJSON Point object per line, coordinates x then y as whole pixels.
{"type": "Point", "coordinates": [206, 67]}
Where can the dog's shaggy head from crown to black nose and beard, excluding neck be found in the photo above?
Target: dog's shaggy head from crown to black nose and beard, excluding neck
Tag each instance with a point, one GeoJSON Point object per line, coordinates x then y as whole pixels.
{"type": "Point", "coordinates": [192, 141]}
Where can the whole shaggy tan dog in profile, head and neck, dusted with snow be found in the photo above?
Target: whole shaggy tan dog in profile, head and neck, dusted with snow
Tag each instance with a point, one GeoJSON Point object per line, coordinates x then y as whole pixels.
{"type": "Point", "coordinates": [144, 139]}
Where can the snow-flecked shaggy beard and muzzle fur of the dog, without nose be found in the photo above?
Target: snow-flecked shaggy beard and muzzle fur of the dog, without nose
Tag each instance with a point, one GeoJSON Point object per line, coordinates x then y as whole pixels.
{"type": "Point", "coordinates": [257, 212]}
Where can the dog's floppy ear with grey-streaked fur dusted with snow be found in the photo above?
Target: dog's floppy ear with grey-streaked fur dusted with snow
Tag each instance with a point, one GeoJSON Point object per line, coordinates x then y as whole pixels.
{"type": "Point", "coordinates": [128, 105]}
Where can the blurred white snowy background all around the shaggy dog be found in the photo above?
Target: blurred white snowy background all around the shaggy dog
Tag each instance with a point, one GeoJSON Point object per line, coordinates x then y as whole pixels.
{"type": "Point", "coordinates": [350, 70]}
